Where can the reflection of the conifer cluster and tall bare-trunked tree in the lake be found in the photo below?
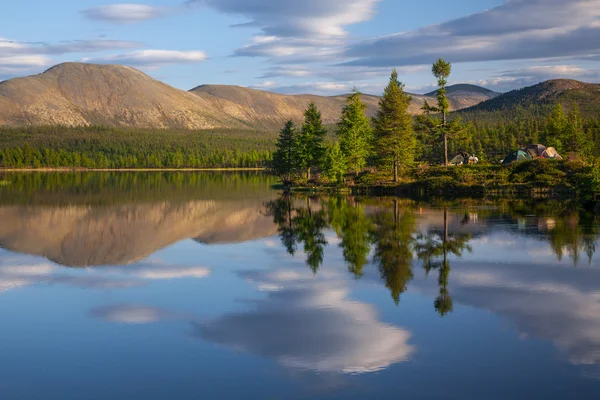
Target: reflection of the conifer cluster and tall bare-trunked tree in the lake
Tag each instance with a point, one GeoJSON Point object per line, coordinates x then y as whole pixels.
{"type": "Point", "coordinates": [391, 231]}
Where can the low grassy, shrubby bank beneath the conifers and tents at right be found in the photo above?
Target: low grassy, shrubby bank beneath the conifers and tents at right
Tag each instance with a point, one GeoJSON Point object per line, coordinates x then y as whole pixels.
{"type": "Point", "coordinates": [532, 179]}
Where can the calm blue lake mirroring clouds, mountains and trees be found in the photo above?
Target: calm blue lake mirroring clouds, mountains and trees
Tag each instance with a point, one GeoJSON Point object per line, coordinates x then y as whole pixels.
{"type": "Point", "coordinates": [214, 285]}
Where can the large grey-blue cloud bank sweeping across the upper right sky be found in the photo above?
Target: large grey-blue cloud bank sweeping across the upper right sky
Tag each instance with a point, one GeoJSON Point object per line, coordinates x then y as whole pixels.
{"type": "Point", "coordinates": [508, 32]}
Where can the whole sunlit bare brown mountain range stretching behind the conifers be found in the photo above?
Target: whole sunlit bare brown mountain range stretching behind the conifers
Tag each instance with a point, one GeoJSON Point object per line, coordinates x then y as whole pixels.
{"type": "Point", "coordinates": [79, 94]}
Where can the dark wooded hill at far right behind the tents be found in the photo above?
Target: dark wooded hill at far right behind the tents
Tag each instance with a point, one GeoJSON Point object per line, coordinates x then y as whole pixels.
{"type": "Point", "coordinates": [545, 94]}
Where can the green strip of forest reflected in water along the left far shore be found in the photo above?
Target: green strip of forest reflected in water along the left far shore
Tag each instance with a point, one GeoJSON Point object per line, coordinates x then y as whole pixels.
{"type": "Point", "coordinates": [109, 188]}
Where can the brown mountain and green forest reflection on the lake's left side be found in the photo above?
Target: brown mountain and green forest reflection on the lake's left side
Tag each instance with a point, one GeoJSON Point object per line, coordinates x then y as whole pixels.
{"type": "Point", "coordinates": [117, 219]}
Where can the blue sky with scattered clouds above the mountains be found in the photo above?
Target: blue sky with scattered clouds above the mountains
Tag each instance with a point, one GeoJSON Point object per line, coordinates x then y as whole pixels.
{"type": "Point", "coordinates": [310, 46]}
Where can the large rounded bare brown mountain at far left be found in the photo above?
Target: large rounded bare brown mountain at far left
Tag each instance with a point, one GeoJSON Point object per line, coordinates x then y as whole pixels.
{"type": "Point", "coordinates": [76, 94]}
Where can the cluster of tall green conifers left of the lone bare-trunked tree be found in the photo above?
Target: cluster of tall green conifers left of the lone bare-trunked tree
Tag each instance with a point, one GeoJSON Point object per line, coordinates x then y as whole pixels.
{"type": "Point", "coordinates": [388, 140]}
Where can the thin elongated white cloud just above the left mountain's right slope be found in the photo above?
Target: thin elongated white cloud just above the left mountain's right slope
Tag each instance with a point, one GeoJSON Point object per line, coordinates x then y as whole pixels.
{"type": "Point", "coordinates": [152, 58]}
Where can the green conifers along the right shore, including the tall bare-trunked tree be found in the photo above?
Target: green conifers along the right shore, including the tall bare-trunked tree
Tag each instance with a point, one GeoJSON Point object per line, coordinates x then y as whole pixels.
{"type": "Point", "coordinates": [392, 141]}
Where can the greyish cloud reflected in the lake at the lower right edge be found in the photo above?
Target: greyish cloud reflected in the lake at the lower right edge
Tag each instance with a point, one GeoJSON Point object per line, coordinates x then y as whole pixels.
{"type": "Point", "coordinates": [560, 305]}
